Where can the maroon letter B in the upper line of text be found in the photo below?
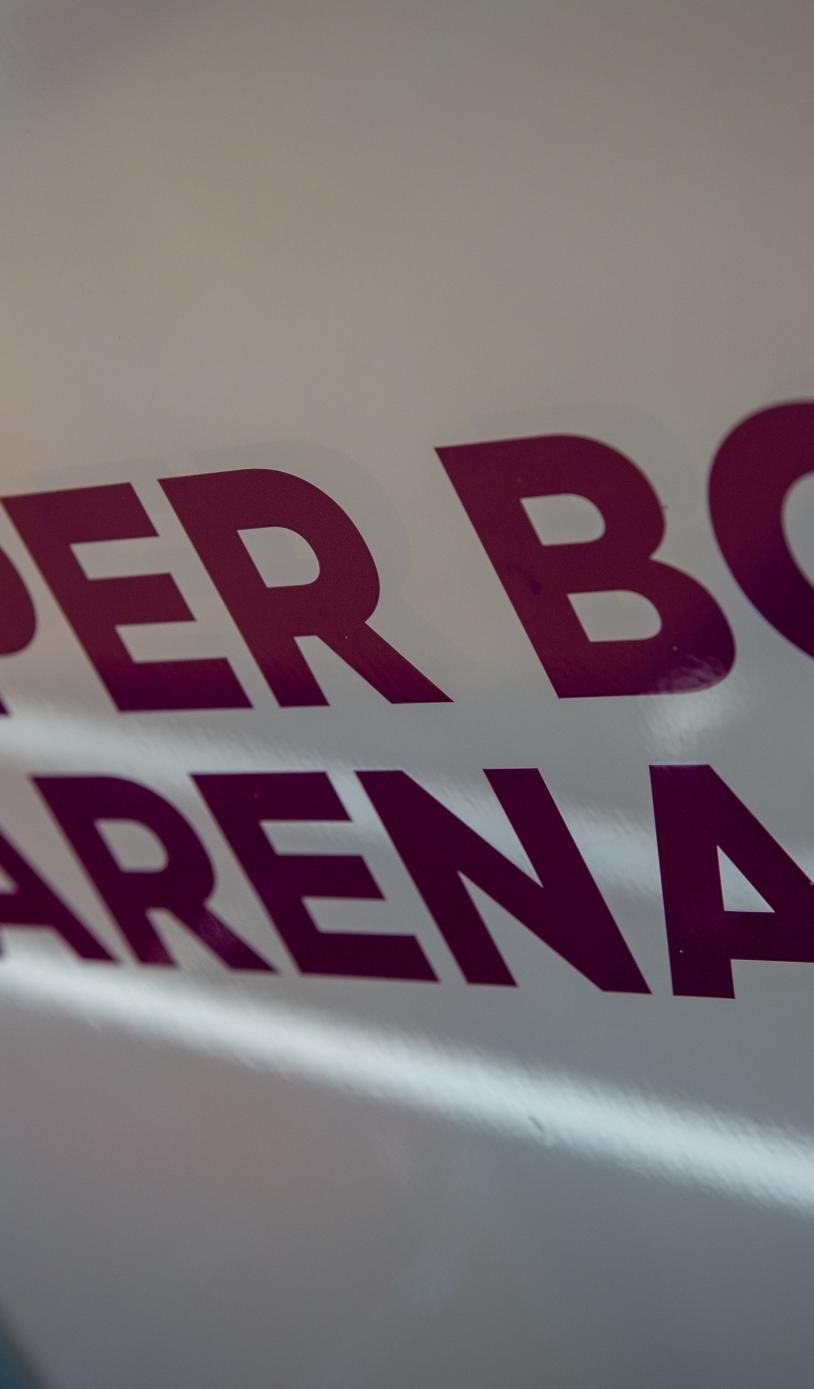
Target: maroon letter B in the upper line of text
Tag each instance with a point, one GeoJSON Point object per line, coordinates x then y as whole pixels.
{"type": "Point", "coordinates": [692, 649]}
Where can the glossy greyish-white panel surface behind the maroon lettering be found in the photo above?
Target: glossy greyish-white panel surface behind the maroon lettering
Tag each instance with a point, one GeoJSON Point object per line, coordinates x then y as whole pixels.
{"type": "Point", "coordinates": [330, 238]}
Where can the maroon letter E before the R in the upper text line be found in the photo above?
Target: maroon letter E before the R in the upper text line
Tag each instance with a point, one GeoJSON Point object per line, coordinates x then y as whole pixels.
{"type": "Point", "coordinates": [52, 523]}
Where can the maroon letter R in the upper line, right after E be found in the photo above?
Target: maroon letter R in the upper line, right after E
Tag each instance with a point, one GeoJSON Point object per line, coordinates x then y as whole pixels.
{"type": "Point", "coordinates": [215, 508]}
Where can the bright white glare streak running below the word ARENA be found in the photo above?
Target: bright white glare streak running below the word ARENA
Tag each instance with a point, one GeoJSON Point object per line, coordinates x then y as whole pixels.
{"type": "Point", "coordinates": [627, 1129]}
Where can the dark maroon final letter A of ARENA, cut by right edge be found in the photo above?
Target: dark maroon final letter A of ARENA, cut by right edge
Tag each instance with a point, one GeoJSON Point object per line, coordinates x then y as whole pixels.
{"type": "Point", "coordinates": [697, 815]}
